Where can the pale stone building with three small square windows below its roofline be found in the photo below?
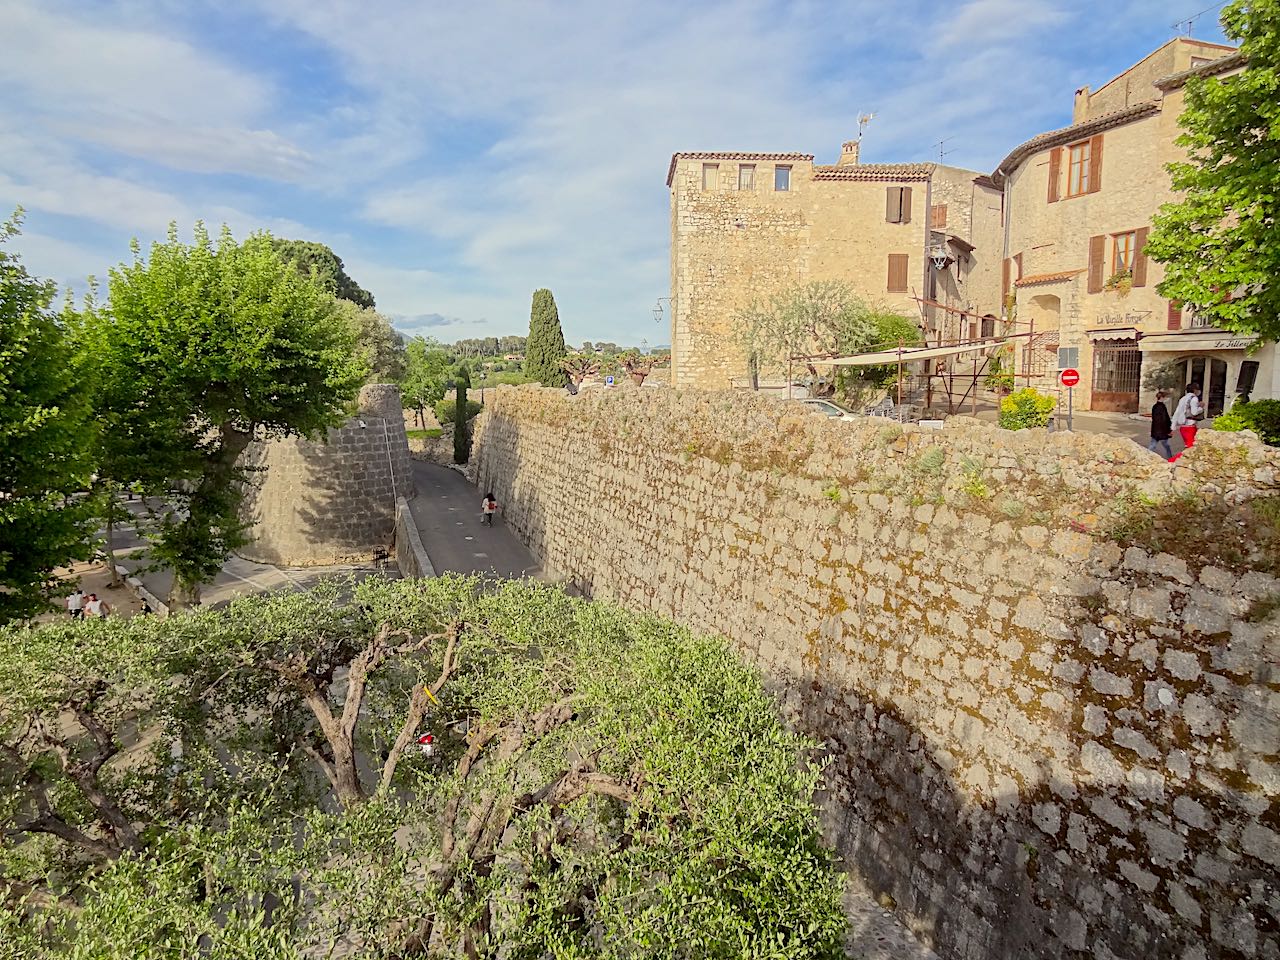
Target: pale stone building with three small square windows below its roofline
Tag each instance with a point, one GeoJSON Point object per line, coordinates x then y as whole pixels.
{"type": "Point", "coordinates": [748, 226]}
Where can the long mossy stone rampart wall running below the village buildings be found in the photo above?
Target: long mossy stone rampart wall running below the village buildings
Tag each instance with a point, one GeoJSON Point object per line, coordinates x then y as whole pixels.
{"type": "Point", "coordinates": [1044, 666]}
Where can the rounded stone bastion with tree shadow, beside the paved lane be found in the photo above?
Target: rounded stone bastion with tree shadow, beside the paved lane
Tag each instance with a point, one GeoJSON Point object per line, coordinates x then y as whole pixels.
{"type": "Point", "coordinates": [322, 504]}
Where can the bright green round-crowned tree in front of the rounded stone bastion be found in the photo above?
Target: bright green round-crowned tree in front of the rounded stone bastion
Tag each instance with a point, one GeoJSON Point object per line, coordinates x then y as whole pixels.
{"type": "Point", "coordinates": [234, 345]}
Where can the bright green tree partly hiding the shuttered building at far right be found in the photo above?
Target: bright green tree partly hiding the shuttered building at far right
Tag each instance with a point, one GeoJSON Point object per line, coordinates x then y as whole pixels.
{"type": "Point", "coordinates": [1219, 243]}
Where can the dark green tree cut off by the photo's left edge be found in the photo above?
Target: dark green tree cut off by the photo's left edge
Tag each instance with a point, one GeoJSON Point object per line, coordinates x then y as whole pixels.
{"type": "Point", "coordinates": [45, 440]}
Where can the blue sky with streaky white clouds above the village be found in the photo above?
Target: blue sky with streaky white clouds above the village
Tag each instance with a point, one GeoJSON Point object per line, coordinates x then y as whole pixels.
{"type": "Point", "coordinates": [460, 156]}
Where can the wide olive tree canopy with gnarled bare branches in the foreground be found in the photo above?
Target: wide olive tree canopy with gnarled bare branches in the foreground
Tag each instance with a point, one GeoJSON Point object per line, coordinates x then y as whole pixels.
{"type": "Point", "coordinates": [253, 780]}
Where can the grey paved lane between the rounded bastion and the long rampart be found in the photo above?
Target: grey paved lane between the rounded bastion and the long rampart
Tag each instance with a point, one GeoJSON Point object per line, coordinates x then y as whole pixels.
{"type": "Point", "coordinates": [447, 513]}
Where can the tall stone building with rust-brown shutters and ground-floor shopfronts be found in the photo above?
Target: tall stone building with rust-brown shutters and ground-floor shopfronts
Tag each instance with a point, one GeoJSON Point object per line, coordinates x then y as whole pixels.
{"type": "Point", "coordinates": [1081, 202]}
